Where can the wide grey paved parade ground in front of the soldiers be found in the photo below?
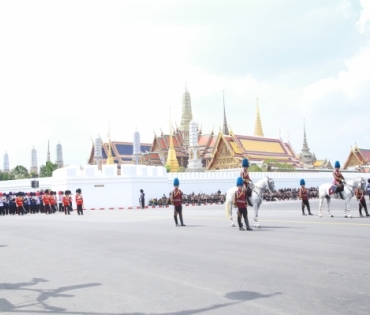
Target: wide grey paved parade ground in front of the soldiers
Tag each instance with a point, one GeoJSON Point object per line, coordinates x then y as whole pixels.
{"type": "Point", "coordinates": [138, 262]}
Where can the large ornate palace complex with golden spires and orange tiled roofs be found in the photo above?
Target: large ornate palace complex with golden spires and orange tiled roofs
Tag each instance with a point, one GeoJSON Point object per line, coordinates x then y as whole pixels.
{"type": "Point", "coordinates": [189, 148]}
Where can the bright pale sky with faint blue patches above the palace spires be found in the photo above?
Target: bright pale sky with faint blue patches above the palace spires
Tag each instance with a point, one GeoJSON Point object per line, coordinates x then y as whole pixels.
{"type": "Point", "coordinates": [71, 69]}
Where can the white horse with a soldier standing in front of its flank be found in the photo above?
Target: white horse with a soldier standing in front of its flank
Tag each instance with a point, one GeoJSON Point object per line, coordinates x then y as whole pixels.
{"type": "Point", "coordinates": [255, 199]}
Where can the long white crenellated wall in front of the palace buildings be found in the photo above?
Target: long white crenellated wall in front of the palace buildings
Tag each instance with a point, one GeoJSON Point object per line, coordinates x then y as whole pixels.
{"type": "Point", "coordinates": [103, 189]}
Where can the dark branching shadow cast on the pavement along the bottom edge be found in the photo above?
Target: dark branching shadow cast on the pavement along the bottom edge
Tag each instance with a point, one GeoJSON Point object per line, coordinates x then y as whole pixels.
{"type": "Point", "coordinates": [43, 295]}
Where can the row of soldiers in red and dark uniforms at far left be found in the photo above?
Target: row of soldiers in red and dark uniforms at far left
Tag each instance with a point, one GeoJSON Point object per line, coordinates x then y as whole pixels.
{"type": "Point", "coordinates": [47, 202]}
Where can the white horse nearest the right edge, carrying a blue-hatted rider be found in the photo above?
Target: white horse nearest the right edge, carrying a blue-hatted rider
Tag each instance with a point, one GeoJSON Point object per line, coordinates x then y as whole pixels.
{"type": "Point", "coordinates": [347, 193]}
